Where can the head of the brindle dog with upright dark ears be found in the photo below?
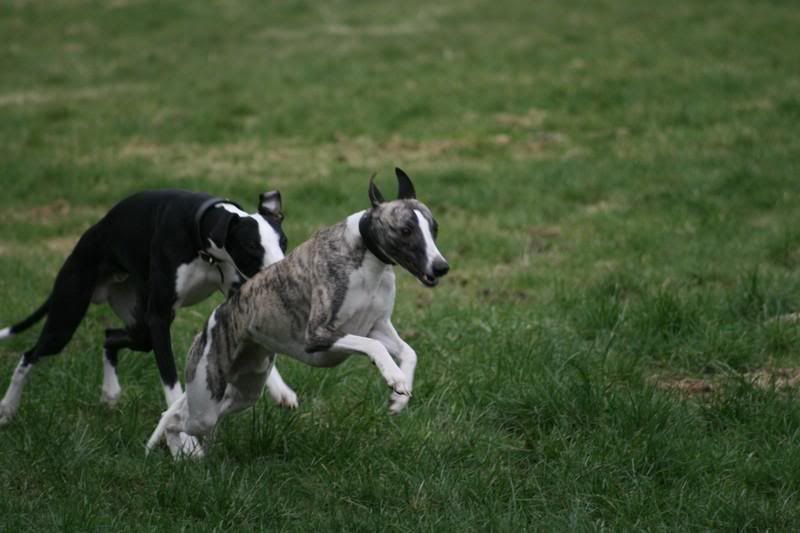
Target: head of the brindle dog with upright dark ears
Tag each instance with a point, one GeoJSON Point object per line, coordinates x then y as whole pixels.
{"type": "Point", "coordinates": [404, 231]}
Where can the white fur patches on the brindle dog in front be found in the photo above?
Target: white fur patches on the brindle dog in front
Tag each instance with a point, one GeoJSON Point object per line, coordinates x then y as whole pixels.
{"type": "Point", "coordinates": [365, 313]}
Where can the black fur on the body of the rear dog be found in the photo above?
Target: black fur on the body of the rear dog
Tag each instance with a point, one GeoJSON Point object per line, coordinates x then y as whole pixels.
{"type": "Point", "coordinates": [144, 238]}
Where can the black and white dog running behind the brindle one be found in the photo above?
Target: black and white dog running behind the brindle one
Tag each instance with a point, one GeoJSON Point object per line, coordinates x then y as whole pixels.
{"type": "Point", "coordinates": [150, 254]}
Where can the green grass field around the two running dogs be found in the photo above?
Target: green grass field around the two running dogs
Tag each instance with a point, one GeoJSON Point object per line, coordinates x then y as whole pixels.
{"type": "Point", "coordinates": [617, 189]}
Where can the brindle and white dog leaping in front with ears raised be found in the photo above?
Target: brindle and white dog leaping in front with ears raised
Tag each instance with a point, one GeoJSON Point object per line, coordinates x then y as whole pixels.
{"type": "Point", "coordinates": [331, 297]}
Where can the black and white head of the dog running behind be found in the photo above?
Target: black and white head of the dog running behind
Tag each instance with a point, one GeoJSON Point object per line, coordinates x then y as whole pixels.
{"type": "Point", "coordinates": [253, 241]}
